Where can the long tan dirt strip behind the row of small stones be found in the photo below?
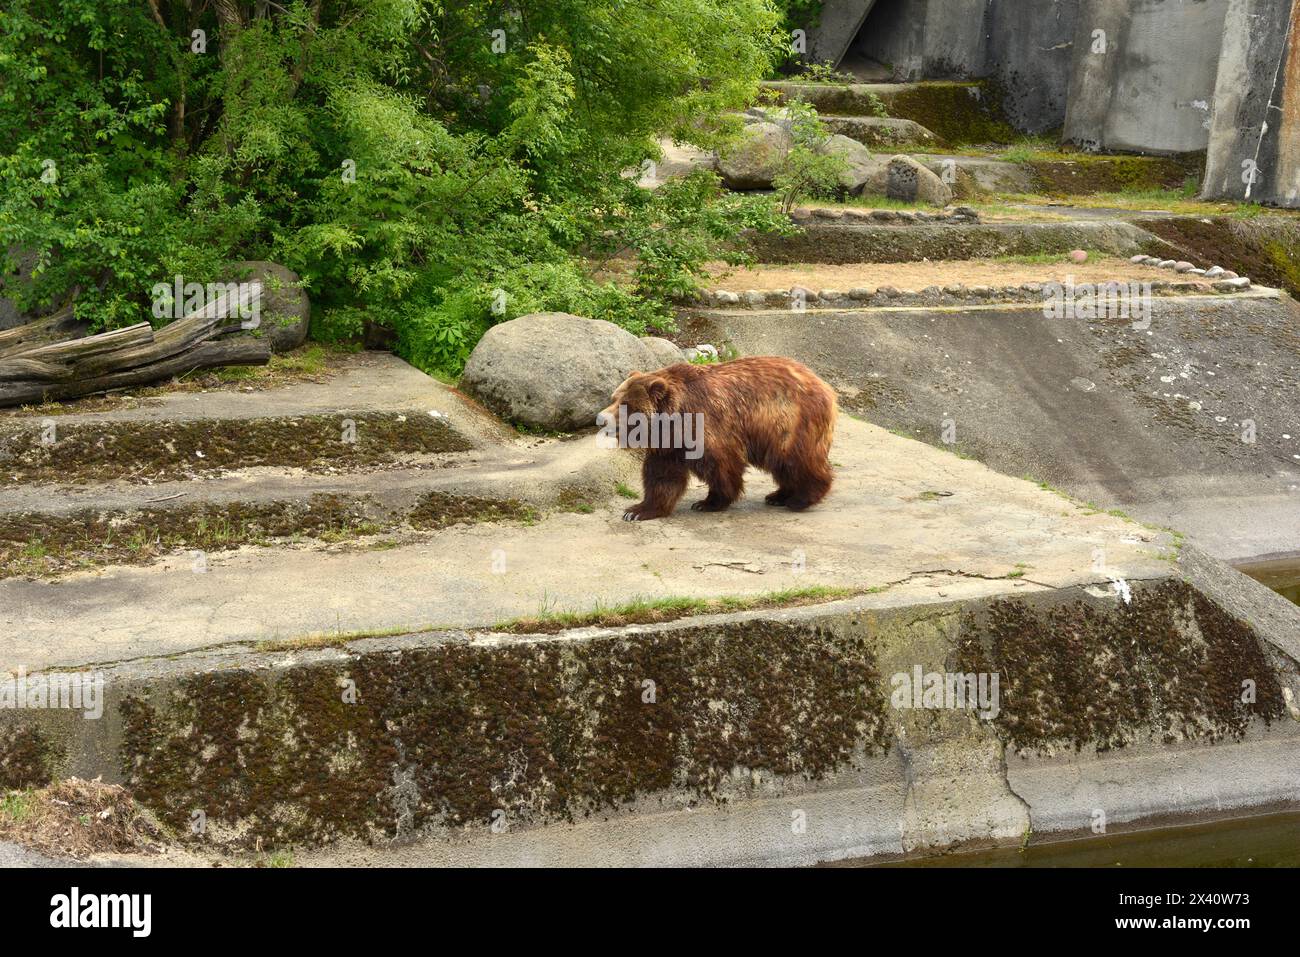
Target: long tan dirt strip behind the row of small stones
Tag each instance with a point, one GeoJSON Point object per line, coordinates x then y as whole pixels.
{"type": "Point", "coordinates": [970, 272]}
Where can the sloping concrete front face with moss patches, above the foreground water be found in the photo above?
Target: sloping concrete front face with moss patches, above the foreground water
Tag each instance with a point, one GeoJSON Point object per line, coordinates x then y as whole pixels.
{"type": "Point", "coordinates": [756, 738]}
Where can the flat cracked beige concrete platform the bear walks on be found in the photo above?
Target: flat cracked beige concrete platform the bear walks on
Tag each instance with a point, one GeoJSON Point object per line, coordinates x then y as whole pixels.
{"type": "Point", "coordinates": [874, 534]}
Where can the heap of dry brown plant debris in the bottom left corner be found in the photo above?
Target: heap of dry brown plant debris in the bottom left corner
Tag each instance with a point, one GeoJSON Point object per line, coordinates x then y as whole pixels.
{"type": "Point", "coordinates": [77, 819]}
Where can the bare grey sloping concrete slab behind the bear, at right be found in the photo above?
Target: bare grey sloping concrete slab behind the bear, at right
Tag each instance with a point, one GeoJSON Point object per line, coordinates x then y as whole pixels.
{"type": "Point", "coordinates": [1184, 419]}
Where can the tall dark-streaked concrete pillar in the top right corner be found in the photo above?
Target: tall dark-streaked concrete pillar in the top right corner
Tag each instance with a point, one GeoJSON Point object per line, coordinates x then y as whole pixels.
{"type": "Point", "coordinates": [1256, 122]}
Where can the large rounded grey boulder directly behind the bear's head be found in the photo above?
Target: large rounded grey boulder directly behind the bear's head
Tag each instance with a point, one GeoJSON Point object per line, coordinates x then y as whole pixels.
{"type": "Point", "coordinates": [552, 370]}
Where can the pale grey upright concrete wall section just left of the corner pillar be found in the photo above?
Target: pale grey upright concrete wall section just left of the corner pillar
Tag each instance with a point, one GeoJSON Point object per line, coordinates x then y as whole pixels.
{"type": "Point", "coordinates": [1143, 75]}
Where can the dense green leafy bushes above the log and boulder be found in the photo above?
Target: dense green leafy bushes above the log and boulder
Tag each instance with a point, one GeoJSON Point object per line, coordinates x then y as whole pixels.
{"type": "Point", "coordinates": [426, 166]}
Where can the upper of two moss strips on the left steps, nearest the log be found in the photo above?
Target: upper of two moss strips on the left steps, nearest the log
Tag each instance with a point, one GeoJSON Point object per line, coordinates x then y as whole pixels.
{"type": "Point", "coordinates": [168, 451]}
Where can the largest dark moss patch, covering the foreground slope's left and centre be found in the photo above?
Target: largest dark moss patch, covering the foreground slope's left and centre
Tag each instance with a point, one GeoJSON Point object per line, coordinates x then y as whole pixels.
{"type": "Point", "coordinates": [539, 731]}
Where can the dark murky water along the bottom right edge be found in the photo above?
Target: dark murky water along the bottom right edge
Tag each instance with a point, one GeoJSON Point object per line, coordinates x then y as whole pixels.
{"type": "Point", "coordinates": [1271, 841]}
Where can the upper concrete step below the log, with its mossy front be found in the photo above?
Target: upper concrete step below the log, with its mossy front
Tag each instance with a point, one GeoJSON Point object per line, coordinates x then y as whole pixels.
{"type": "Point", "coordinates": [375, 413]}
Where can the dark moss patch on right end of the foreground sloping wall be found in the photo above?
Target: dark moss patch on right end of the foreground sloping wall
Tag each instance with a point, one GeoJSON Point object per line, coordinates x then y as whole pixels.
{"type": "Point", "coordinates": [1078, 675]}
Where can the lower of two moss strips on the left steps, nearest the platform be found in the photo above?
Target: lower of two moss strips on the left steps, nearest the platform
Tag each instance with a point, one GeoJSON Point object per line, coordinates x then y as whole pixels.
{"type": "Point", "coordinates": [41, 545]}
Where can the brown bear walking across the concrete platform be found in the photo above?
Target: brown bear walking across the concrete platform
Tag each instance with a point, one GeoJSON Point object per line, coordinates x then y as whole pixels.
{"type": "Point", "coordinates": [714, 421]}
